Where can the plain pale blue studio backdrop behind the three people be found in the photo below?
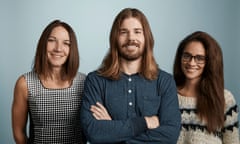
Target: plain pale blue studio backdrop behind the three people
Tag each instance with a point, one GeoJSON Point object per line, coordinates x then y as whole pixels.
{"type": "Point", "coordinates": [22, 23]}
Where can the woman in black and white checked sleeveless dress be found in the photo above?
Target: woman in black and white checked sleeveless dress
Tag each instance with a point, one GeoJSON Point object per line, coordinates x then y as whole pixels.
{"type": "Point", "coordinates": [51, 93]}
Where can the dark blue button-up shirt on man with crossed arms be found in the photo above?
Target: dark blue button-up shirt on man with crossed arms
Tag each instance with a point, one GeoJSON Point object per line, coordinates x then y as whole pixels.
{"type": "Point", "coordinates": [128, 100]}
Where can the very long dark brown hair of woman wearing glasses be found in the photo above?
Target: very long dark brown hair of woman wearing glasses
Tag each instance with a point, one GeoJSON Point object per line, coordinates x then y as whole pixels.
{"type": "Point", "coordinates": [210, 100]}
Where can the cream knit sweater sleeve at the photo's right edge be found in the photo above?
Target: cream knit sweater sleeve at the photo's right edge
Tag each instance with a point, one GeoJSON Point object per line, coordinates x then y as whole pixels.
{"type": "Point", "coordinates": [231, 124]}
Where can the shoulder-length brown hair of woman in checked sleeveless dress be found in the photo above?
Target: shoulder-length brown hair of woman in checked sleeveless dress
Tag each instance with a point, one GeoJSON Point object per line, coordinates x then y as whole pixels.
{"type": "Point", "coordinates": [41, 65]}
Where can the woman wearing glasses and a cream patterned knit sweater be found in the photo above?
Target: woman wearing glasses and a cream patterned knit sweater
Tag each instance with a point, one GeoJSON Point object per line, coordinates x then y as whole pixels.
{"type": "Point", "coordinates": [209, 112]}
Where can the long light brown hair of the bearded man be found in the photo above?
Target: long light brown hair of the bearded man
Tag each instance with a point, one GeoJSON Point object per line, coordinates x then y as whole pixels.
{"type": "Point", "coordinates": [110, 66]}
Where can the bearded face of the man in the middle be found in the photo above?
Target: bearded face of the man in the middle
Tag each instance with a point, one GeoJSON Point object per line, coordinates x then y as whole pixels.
{"type": "Point", "coordinates": [131, 39]}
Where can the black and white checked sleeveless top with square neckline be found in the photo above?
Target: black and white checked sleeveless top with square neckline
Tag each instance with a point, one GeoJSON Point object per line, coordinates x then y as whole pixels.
{"type": "Point", "coordinates": [54, 113]}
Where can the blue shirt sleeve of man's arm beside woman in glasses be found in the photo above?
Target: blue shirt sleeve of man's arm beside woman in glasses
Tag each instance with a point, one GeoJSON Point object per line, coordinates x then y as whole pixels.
{"type": "Point", "coordinates": [169, 116]}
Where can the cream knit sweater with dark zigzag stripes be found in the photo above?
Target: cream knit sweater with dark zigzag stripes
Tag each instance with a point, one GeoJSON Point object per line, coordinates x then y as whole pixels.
{"type": "Point", "coordinates": [194, 131]}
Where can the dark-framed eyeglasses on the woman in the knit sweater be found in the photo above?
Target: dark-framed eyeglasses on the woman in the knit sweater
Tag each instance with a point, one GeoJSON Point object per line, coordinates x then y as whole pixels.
{"type": "Point", "coordinates": [199, 59]}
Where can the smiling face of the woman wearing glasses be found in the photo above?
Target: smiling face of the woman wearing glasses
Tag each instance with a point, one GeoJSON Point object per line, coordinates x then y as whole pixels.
{"type": "Point", "coordinates": [191, 69]}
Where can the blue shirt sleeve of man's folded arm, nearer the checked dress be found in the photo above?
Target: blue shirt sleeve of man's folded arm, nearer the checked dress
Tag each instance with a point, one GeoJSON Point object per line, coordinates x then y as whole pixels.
{"type": "Point", "coordinates": [105, 131]}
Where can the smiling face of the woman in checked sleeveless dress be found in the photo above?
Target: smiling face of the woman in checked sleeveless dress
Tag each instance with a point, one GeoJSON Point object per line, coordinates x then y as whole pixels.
{"type": "Point", "coordinates": [58, 46]}
